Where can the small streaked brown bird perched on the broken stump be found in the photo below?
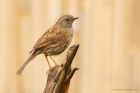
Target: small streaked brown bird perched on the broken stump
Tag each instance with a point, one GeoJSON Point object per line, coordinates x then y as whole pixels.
{"type": "Point", "coordinates": [54, 41]}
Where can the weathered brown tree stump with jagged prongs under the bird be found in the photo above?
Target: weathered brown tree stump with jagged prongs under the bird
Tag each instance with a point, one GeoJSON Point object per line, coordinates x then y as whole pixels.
{"type": "Point", "coordinates": [58, 79]}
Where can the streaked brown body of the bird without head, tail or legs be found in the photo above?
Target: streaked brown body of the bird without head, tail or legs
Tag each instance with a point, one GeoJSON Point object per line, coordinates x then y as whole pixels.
{"type": "Point", "coordinates": [54, 41]}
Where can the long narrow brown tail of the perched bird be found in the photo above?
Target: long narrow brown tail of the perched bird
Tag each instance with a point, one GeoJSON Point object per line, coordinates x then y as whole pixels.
{"type": "Point", "coordinates": [32, 56]}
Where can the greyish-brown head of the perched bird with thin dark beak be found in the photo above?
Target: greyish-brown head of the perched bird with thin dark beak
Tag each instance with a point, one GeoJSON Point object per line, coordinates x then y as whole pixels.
{"type": "Point", "coordinates": [66, 21]}
